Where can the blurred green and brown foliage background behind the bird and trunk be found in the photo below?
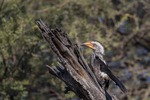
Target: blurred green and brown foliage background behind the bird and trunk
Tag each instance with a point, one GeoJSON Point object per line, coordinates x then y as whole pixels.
{"type": "Point", "coordinates": [123, 27]}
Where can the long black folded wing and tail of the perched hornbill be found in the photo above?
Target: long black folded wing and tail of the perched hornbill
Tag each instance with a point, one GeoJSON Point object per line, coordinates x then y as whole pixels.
{"type": "Point", "coordinates": [104, 68]}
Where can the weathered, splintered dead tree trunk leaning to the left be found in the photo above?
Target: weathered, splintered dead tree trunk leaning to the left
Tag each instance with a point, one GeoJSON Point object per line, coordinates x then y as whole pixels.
{"type": "Point", "coordinates": [73, 69]}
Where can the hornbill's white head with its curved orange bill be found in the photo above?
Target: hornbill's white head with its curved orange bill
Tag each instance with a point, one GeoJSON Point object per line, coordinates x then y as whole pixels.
{"type": "Point", "coordinates": [95, 45]}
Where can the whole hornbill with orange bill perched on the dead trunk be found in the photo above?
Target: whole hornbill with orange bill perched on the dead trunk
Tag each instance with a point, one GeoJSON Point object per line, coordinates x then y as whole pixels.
{"type": "Point", "coordinates": [100, 67]}
